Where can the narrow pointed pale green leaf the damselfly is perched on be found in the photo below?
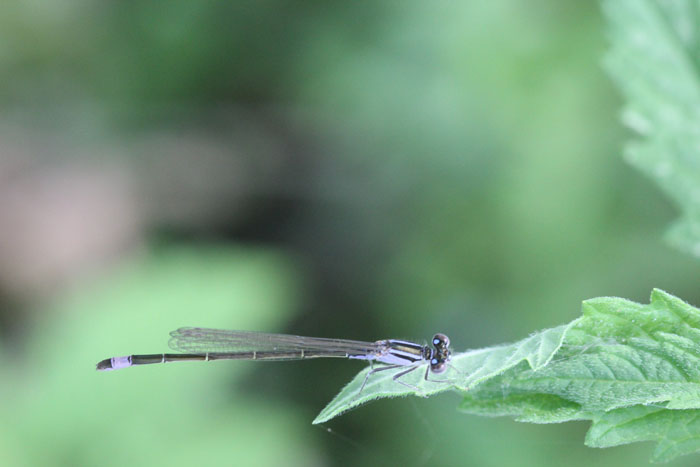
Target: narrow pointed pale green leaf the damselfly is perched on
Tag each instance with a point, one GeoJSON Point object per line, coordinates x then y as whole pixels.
{"type": "Point", "coordinates": [466, 370]}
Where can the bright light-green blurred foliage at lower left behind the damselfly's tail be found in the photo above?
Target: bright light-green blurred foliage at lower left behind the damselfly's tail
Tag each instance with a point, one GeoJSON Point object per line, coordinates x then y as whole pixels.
{"type": "Point", "coordinates": [58, 410]}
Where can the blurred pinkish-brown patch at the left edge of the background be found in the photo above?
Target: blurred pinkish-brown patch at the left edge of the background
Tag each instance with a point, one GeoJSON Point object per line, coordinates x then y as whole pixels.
{"type": "Point", "coordinates": [60, 218]}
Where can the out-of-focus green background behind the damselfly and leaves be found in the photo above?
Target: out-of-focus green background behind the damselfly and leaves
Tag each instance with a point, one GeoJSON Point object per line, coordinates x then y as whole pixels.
{"type": "Point", "coordinates": [343, 169]}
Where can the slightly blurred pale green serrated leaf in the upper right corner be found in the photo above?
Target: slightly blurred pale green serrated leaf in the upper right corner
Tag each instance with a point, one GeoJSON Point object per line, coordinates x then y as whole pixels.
{"type": "Point", "coordinates": [653, 58]}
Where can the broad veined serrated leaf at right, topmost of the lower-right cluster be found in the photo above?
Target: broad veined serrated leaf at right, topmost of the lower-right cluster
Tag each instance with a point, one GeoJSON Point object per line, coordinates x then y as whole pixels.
{"type": "Point", "coordinates": [621, 353]}
